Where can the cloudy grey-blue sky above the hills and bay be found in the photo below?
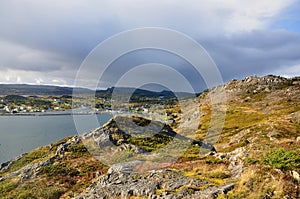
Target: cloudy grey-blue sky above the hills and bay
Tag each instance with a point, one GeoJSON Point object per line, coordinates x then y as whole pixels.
{"type": "Point", "coordinates": [46, 42]}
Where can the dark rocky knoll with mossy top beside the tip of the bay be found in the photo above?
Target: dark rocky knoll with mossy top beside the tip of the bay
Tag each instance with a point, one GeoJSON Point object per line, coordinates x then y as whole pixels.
{"type": "Point", "coordinates": [124, 131]}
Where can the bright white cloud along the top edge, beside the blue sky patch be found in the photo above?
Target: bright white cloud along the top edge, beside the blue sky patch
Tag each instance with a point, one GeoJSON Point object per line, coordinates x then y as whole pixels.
{"type": "Point", "coordinates": [206, 16]}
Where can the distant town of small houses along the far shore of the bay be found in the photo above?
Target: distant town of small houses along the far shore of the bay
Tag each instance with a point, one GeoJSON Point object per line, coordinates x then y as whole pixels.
{"type": "Point", "coordinates": [19, 104]}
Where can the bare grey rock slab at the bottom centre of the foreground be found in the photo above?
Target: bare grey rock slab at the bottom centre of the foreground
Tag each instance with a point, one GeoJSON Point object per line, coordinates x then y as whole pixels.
{"type": "Point", "coordinates": [166, 183]}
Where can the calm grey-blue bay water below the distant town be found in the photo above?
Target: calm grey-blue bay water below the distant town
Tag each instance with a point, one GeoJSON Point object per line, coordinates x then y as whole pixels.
{"type": "Point", "coordinates": [20, 134]}
